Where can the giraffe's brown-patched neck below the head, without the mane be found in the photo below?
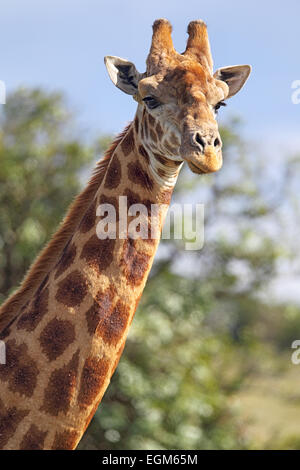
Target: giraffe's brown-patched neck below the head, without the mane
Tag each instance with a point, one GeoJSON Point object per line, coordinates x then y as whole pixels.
{"type": "Point", "coordinates": [65, 343]}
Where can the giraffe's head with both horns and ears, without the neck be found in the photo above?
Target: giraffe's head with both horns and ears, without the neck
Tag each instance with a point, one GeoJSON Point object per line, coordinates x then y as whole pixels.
{"type": "Point", "coordinates": [181, 94]}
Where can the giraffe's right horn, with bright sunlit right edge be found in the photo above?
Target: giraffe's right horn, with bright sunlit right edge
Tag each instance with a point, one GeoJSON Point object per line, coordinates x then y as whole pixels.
{"type": "Point", "coordinates": [198, 43]}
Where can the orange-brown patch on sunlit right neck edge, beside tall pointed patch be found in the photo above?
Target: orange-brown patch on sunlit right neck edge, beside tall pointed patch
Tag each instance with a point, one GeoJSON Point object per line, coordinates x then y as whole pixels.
{"type": "Point", "coordinates": [93, 377]}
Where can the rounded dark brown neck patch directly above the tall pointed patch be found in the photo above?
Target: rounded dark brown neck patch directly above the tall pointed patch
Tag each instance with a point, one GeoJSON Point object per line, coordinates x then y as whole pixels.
{"type": "Point", "coordinates": [56, 337]}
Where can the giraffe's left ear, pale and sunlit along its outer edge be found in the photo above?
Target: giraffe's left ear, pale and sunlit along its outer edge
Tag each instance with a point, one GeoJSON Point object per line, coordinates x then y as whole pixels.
{"type": "Point", "coordinates": [123, 74]}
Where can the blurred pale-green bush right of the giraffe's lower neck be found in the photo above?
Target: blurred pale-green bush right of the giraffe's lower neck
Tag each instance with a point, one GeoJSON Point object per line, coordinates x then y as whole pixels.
{"type": "Point", "coordinates": [165, 393]}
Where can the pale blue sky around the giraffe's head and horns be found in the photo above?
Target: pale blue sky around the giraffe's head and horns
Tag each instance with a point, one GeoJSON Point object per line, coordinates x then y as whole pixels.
{"type": "Point", "coordinates": [61, 45]}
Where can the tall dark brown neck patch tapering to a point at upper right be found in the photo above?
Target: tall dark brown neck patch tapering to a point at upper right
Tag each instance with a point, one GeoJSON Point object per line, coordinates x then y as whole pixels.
{"type": "Point", "coordinates": [61, 388]}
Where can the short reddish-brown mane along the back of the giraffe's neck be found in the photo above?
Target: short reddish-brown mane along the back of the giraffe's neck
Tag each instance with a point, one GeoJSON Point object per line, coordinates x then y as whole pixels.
{"type": "Point", "coordinates": [51, 252]}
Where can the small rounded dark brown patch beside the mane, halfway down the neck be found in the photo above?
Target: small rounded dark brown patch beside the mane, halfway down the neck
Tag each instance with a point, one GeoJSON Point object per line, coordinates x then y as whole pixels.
{"type": "Point", "coordinates": [72, 289]}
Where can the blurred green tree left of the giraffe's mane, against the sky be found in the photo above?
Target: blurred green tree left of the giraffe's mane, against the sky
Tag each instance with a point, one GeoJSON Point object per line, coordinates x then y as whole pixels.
{"type": "Point", "coordinates": [39, 175]}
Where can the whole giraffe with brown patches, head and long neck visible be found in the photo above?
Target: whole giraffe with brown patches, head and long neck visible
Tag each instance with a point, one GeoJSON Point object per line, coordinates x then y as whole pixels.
{"type": "Point", "coordinates": [65, 327]}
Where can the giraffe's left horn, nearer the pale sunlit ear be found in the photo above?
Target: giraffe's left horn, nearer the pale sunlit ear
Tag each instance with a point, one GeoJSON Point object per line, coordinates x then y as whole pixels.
{"type": "Point", "coordinates": [162, 44]}
